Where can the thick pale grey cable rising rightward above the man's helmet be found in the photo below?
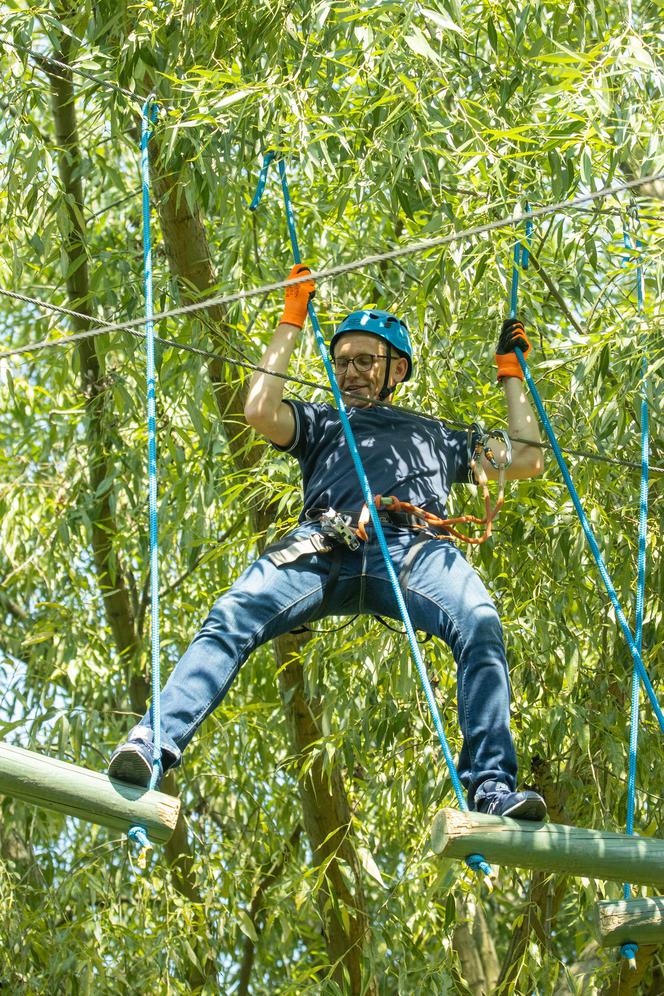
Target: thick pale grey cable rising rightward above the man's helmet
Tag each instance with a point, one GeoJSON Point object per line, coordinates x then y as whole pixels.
{"type": "Point", "coordinates": [335, 271]}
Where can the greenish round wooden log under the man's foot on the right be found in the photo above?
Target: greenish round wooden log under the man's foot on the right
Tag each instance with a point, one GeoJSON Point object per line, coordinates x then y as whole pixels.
{"type": "Point", "coordinates": [549, 847]}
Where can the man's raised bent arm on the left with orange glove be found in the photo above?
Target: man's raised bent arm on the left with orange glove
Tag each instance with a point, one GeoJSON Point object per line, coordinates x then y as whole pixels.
{"type": "Point", "coordinates": [265, 410]}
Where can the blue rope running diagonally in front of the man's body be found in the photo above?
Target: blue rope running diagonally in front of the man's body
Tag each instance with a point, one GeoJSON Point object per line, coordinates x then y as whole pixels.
{"type": "Point", "coordinates": [474, 860]}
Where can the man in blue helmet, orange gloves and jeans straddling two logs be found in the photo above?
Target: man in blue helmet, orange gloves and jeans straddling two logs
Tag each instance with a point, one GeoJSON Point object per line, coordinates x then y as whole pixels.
{"type": "Point", "coordinates": [315, 571]}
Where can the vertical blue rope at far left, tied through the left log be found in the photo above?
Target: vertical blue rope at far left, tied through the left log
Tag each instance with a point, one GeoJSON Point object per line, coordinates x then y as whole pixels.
{"type": "Point", "coordinates": [149, 116]}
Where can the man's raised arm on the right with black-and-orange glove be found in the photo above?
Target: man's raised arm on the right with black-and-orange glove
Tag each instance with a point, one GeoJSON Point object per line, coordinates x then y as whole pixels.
{"type": "Point", "coordinates": [527, 460]}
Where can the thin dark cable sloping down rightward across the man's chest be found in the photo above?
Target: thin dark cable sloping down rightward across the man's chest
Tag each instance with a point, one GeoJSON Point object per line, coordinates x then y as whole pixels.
{"type": "Point", "coordinates": [246, 364]}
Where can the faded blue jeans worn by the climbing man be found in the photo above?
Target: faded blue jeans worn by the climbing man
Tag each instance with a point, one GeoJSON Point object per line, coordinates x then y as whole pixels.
{"type": "Point", "coordinates": [445, 597]}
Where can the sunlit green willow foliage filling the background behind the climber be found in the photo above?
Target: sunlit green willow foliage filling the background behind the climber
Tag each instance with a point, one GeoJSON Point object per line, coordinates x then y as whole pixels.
{"type": "Point", "coordinates": [399, 121]}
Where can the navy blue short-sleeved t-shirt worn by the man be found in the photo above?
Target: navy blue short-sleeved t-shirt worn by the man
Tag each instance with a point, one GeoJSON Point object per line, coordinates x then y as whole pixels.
{"type": "Point", "coordinates": [415, 458]}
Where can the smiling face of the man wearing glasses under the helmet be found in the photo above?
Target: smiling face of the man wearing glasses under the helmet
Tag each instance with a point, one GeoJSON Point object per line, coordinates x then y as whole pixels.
{"type": "Point", "coordinates": [367, 382]}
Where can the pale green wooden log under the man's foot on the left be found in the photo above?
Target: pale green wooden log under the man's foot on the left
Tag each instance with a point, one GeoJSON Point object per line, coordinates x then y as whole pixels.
{"type": "Point", "coordinates": [87, 795]}
